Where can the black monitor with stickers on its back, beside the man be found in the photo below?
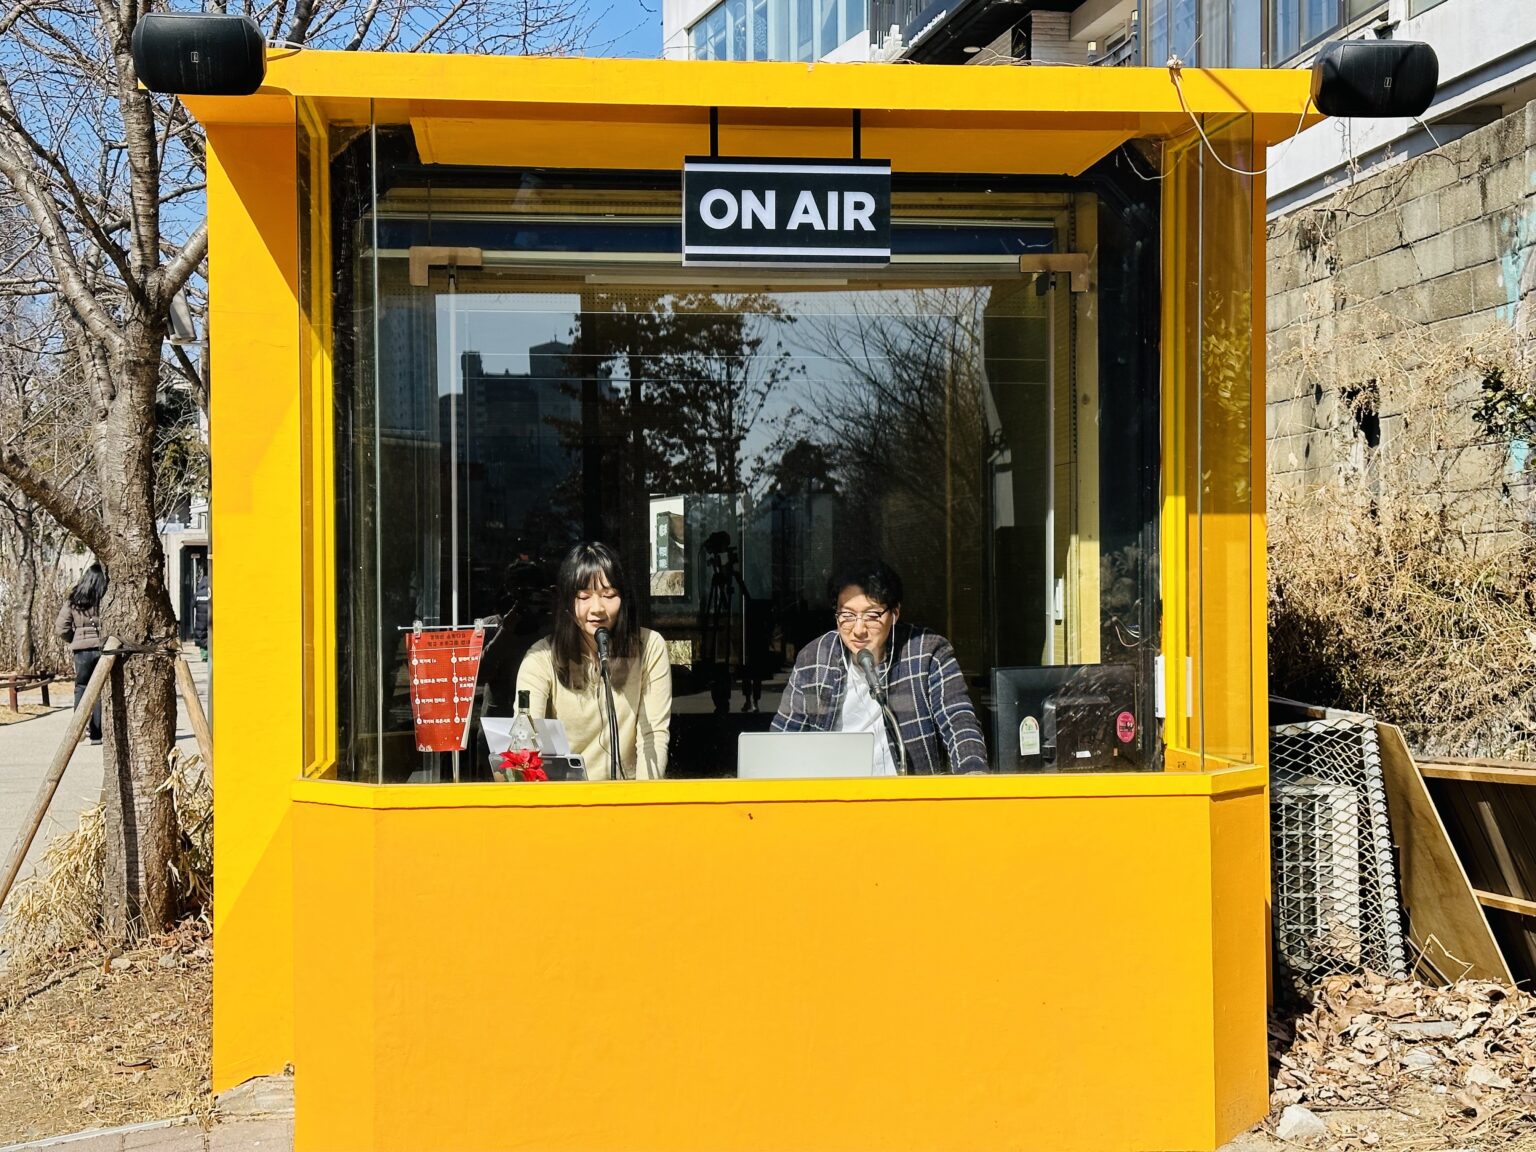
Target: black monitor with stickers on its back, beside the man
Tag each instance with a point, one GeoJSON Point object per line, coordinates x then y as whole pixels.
{"type": "Point", "coordinates": [1070, 718]}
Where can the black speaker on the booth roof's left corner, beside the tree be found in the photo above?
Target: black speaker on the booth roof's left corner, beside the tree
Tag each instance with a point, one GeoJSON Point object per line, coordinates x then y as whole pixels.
{"type": "Point", "coordinates": [200, 55]}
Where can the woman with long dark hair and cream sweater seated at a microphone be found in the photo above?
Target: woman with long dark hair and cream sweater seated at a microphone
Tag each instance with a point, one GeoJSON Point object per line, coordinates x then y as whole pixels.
{"type": "Point", "coordinates": [563, 681]}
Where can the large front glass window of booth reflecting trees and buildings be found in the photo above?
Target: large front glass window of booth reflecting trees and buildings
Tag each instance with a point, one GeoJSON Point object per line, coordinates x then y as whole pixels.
{"type": "Point", "coordinates": [737, 439]}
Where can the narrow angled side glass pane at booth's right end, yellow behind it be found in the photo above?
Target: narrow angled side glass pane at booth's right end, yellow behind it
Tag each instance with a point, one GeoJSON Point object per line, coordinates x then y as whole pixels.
{"type": "Point", "coordinates": [1211, 614]}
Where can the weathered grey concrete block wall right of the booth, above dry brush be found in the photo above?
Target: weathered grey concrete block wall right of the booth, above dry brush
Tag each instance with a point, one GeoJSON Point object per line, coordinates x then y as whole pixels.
{"type": "Point", "coordinates": [1438, 248]}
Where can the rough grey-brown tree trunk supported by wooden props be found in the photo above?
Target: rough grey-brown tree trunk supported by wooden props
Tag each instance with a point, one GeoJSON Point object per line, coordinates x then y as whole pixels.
{"type": "Point", "coordinates": [139, 720]}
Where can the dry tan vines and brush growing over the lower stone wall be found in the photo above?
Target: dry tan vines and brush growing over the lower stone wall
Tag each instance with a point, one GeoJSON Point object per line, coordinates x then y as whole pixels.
{"type": "Point", "coordinates": [1405, 584]}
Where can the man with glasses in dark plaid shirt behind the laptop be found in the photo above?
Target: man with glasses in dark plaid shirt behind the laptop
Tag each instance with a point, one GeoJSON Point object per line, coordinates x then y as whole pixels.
{"type": "Point", "coordinates": [909, 692]}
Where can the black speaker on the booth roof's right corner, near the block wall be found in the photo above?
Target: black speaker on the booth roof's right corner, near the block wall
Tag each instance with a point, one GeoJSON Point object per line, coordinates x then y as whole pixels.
{"type": "Point", "coordinates": [1375, 79]}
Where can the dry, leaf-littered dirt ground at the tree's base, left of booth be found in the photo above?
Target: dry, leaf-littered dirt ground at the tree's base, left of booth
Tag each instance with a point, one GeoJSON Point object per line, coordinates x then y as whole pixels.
{"type": "Point", "coordinates": [98, 1044]}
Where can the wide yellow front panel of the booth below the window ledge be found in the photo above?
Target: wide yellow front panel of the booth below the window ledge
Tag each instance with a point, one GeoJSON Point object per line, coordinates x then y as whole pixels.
{"type": "Point", "coordinates": [913, 975]}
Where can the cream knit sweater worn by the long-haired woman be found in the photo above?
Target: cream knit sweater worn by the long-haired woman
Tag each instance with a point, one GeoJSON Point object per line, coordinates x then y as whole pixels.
{"type": "Point", "coordinates": [641, 698]}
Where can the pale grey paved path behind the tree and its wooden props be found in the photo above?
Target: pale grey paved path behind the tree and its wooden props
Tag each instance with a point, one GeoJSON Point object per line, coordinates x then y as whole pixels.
{"type": "Point", "coordinates": [27, 750]}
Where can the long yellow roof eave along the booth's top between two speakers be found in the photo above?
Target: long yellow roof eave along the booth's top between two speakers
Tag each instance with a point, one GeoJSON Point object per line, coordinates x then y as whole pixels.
{"type": "Point", "coordinates": [415, 87]}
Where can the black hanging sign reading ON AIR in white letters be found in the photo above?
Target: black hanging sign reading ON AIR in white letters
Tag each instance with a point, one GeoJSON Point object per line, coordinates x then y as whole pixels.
{"type": "Point", "coordinates": [787, 213]}
